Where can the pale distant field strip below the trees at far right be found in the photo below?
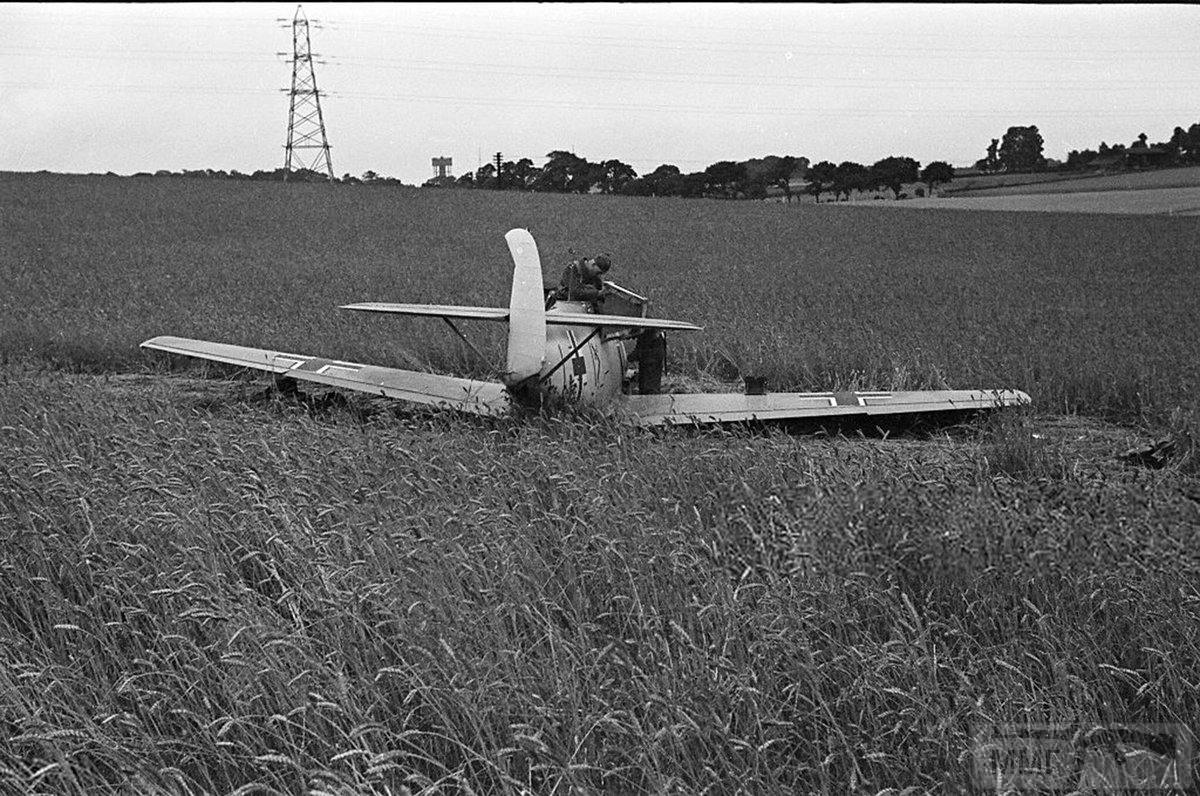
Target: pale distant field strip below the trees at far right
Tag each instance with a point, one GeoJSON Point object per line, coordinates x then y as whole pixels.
{"type": "Point", "coordinates": [1167, 202]}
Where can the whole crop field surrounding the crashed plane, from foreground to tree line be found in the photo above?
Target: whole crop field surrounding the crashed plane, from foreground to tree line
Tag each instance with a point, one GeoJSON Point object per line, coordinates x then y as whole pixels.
{"type": "Point", "coordinates": [208, 589]}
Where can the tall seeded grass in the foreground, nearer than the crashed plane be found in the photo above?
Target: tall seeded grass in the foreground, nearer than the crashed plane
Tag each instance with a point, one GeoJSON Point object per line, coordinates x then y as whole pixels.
{"type": "Point", "coordinates": [207, 596]}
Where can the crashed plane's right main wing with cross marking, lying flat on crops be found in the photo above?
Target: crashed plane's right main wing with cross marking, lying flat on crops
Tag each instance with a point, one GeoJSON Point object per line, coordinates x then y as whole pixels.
{"type": "Point", "coordinates": [733, 408]}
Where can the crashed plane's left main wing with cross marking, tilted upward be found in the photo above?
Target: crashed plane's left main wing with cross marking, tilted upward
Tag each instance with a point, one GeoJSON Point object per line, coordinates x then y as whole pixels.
{"type": "Point", "coordinates": [463, 394]}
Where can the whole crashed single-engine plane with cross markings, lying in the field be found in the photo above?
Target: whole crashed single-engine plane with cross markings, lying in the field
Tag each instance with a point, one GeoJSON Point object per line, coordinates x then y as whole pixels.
{"type": "Point", "coordinates": [573, 352]}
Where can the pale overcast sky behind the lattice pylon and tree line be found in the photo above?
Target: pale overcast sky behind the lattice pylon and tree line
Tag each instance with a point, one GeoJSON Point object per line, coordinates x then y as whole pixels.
{"type": "Point", "coordinates": [129, 88]}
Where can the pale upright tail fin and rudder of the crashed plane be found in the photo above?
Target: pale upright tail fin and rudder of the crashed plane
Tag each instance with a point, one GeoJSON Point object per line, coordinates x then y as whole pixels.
{"type": "Point", "coordinates": [527, 312]}
